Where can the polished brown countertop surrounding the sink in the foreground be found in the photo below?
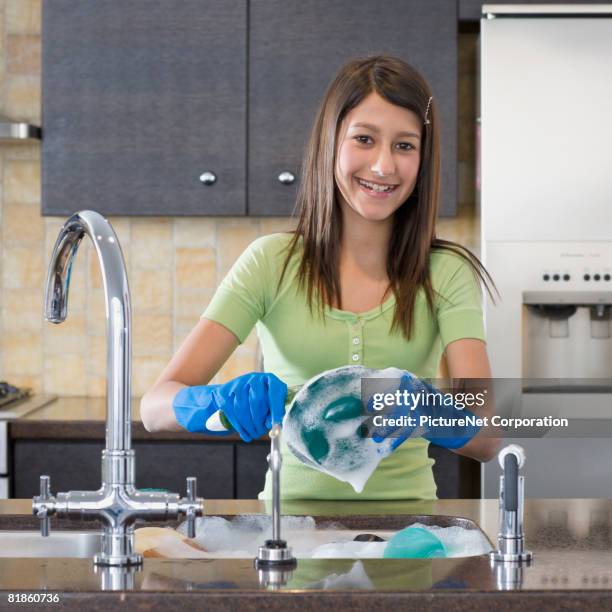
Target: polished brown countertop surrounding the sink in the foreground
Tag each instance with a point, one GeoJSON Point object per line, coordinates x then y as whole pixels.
{"type": "Point", "coordinates": [571, 540]}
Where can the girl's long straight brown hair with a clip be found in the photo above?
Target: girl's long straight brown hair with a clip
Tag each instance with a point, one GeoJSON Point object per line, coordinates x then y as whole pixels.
{"type": "Point", "coordinates": [413, 234]}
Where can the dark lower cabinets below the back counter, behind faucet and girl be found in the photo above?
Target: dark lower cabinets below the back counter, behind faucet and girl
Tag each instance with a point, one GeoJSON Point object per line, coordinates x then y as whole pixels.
{"type": "Point", "coordinates": [225, 470]}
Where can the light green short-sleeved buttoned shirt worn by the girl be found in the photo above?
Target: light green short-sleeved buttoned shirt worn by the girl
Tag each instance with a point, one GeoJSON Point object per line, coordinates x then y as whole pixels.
{"type": "Point", "coordinates": [297, 345]}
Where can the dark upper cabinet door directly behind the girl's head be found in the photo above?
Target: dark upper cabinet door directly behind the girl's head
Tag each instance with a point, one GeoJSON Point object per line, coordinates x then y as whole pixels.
{"type": "Point", "coordinates": [294, 51]}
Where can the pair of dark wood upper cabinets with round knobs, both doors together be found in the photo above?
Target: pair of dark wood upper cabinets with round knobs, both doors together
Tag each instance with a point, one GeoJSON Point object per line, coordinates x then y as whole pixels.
{"type": "Point", "coordinates": [144, 100]}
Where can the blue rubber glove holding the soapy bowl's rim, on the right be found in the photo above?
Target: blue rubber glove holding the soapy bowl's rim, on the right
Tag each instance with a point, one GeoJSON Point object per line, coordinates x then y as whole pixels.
{"type": "Point", "coordinates": [451, 436]}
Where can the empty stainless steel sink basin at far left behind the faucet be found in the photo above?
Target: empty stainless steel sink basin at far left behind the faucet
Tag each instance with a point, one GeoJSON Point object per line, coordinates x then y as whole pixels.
{"type": "Point", "coordinates": [80, 544]}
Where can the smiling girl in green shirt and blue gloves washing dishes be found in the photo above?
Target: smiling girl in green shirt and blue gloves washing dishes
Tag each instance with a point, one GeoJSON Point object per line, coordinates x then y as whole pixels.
{"type": "Point", "coordinates": [363, 280]}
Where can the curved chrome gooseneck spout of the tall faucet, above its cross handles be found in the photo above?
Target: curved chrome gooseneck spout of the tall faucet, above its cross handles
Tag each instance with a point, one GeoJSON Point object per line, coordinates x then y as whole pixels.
{"type": "Point", "coordinates": [118, 314]}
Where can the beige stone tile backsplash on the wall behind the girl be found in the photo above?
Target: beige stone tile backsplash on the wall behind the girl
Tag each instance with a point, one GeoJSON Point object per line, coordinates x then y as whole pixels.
{"type": "Point", "coordinates": [174, 264]}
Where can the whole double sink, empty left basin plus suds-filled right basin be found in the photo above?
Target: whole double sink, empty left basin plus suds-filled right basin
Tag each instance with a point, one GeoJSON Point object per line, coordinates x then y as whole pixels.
{"type": "Point", "coordinates": [243, 540]}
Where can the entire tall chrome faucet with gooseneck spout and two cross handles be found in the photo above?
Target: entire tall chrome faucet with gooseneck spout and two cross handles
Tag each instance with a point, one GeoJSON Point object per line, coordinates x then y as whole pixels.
{"type": "Point", "coordinates": [118, 503]}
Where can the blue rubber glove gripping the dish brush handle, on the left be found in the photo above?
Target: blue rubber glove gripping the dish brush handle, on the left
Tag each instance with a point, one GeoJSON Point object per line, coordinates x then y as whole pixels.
{"type": "Point", "coordinates": [251, 403]}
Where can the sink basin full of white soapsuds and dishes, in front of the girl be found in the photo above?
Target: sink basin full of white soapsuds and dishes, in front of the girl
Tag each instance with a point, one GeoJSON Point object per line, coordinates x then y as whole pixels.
{"type": "Point", "coordinates": [357, 537]}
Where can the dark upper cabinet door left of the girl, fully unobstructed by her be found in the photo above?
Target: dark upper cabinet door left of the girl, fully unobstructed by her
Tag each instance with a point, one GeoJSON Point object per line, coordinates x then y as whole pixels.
{"type": "Point", "coordinates": [140, 99]}
